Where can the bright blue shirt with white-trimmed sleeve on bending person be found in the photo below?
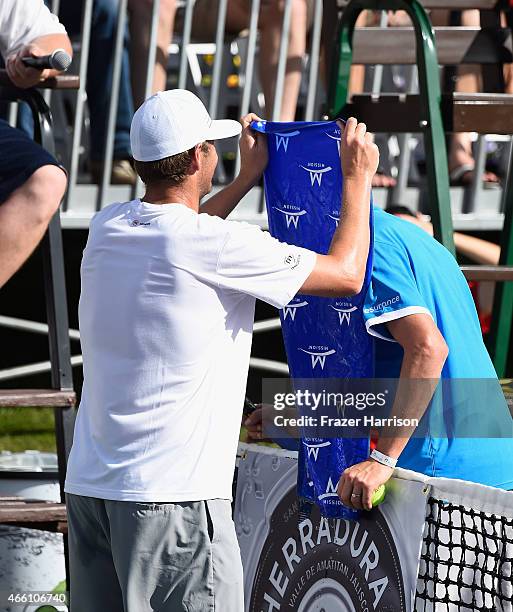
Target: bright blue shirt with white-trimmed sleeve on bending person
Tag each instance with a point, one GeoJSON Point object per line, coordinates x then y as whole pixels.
{"type": "Point", "coordinates": [414, 274]}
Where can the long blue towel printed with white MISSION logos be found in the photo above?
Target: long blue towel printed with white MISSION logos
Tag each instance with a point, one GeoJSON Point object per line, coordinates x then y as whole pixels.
{"type": "Point", "coordinates": [324, 337]}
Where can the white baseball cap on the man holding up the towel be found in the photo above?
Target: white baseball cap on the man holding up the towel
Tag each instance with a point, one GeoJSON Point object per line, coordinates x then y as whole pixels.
{"type": "Point", "coordinates": [172, 122]}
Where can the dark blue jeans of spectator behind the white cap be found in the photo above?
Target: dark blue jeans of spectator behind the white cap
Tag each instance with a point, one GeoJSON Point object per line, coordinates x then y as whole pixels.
{"type": "Point", "coordinates": [99, 75]}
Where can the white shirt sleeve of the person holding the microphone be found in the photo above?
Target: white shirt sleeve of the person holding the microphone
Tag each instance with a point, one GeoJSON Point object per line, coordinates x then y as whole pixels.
{"type": "Point", "coordinates": [21, 21]}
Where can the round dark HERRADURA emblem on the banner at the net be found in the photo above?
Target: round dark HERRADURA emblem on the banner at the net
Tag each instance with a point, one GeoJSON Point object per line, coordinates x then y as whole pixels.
{"type": "Point", "coordinates": [327, 565]}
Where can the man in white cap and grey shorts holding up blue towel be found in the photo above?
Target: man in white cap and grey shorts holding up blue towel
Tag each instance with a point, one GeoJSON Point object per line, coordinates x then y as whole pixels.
{"type": "Point", "coordinates": [166, 318]}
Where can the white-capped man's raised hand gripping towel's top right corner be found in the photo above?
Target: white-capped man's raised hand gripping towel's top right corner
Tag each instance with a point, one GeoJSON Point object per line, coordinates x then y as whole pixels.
{"type": "Point", "coordinates": [359, 155]}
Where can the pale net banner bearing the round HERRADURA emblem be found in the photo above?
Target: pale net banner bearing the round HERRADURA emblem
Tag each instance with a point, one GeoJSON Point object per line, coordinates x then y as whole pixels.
{"type": "Point", "coordinates": [316, 565]}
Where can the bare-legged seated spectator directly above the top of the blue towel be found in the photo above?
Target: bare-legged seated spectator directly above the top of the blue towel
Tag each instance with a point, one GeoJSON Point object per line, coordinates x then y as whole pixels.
{"type": "Point", "coordinates": [270, 26]}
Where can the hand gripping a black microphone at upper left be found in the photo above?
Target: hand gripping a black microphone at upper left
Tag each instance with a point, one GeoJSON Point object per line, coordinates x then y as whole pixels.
{"type": "Point", "coordinates": [32, 64]}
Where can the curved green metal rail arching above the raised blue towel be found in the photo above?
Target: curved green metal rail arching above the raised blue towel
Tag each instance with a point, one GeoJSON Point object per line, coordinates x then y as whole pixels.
{"type": "Point", "coordinates": [430, 100]}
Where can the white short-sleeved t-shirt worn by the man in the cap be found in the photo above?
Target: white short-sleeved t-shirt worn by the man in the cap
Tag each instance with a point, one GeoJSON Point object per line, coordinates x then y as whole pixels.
{"type": "Point", "coordinates": [166, 318]}
